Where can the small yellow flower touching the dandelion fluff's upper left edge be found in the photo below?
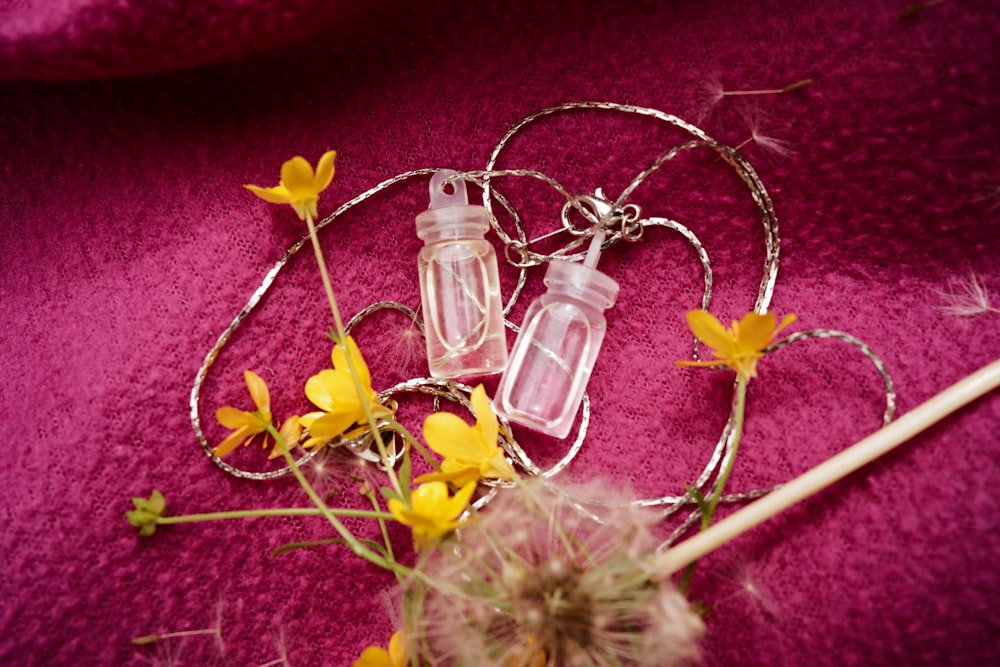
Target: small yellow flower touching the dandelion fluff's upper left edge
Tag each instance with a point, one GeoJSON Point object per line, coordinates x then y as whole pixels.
{"type": "Point", "coordinates": [432, 514]}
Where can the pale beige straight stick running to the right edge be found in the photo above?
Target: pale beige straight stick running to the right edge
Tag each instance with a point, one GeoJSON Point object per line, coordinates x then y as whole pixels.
{"type": "Point", "coordinates": [837, 467]}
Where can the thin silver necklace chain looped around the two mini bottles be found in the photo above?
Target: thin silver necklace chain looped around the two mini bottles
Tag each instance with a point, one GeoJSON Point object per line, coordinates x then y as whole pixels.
{"type": "Point", "coordinates": [621, 221]}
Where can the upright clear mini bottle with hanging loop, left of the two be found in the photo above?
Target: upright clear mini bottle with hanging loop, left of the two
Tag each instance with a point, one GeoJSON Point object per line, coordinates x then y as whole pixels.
{"type": "Point", "coordinates": [459, 285]}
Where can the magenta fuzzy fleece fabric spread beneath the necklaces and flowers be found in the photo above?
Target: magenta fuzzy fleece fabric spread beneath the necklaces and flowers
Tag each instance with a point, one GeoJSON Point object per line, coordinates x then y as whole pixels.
{"type": "Point", "coordinates": [127, 129]}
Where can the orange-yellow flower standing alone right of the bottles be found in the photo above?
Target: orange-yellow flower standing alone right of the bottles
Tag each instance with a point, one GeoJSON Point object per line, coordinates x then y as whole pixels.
{"type": "Point", "coordinates": [741, 345]}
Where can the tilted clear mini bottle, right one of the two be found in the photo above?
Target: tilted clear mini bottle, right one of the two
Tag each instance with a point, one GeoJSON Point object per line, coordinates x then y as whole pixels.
{"type": "Point", "coordinates": [556, 349]}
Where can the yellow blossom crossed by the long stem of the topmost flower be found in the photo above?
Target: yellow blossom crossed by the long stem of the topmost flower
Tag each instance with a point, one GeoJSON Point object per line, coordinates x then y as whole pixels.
{"type": "Point", "coordinates": [334, 393]}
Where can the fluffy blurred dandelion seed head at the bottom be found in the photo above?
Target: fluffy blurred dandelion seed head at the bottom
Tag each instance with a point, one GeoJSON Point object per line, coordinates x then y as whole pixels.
{"type": "Point", "coordinates": [560, 589]}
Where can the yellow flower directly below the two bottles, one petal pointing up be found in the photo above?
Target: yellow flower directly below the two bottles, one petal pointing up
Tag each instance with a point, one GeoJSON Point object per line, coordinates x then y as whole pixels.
{"type": "Point", "coordinates": [470, 452]}
